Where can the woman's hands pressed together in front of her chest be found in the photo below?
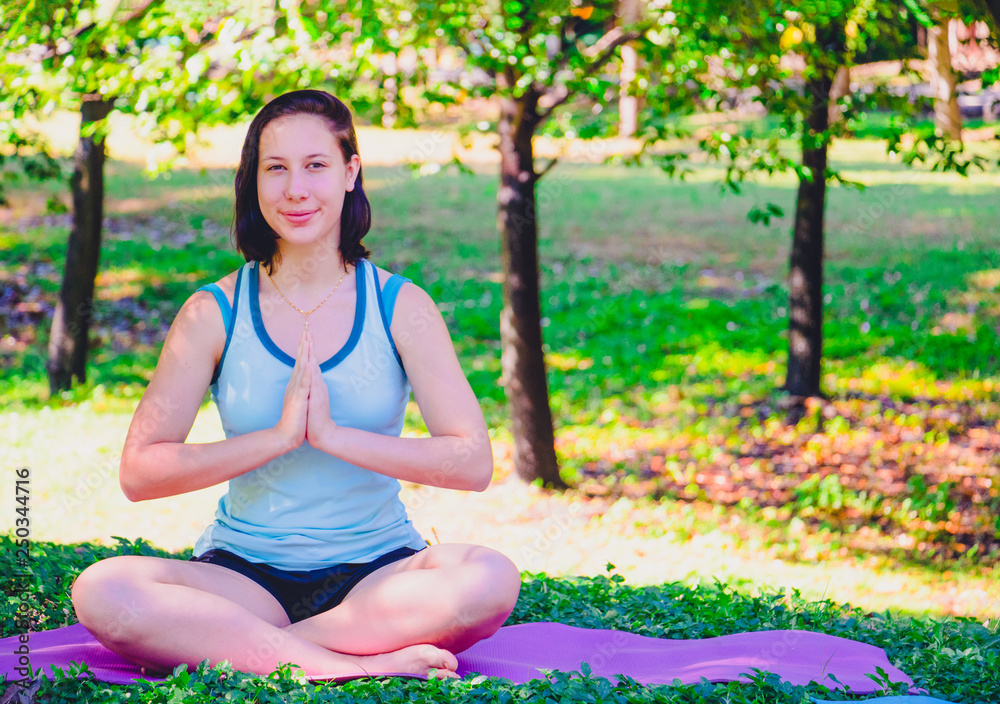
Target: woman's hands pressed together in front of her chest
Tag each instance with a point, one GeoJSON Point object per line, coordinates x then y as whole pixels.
{"type": "Point", "coordinates": [305, 412]}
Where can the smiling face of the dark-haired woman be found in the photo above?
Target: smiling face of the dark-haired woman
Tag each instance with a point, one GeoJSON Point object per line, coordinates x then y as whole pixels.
{"type": "Point", "coordinates": [302, 179]}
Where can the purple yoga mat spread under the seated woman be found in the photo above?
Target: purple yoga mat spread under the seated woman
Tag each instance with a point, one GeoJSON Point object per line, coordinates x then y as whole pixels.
{"type": "Point", "coordinates": [520, 653]}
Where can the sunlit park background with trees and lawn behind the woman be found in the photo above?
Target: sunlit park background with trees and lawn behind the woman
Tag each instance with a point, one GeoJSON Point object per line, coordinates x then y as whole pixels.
{"type": "Point", "coordinates": [751, 250]}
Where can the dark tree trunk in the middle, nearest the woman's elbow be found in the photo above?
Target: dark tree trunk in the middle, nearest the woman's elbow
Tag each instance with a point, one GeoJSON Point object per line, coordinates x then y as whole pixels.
{"type": "Point", "coordinates": [522, 359]}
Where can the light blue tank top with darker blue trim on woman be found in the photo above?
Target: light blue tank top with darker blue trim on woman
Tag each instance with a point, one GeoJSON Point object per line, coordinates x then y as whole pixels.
{"type": "Point", "coordinates": [307, 509]}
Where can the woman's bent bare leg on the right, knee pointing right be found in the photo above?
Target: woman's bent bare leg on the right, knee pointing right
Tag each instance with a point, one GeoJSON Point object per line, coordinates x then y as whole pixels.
{"type": "Point", "coordinates": [449, 595]}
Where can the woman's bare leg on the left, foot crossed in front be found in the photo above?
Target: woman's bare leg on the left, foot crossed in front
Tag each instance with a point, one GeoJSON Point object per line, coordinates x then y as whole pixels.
{"type": "Point", "coordinates": [160, 613]}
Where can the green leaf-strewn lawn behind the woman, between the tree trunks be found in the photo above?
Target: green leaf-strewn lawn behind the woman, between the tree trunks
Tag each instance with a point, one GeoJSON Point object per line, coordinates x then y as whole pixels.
{"type": "Point", "coordinates": [665, 325]}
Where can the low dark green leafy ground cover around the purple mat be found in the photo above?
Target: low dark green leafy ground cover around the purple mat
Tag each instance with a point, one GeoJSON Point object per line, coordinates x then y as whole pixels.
{"type": "Point", "coordinates": [955, 659]}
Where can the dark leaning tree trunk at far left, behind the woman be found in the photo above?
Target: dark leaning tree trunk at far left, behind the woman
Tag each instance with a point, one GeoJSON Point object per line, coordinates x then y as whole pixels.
{"type": "Point", "coordinates": [71, 322]}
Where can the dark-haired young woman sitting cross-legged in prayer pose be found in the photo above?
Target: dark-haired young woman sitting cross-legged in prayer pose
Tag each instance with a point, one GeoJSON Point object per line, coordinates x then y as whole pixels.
{"type": "Point", "coordinates": [310, 352]}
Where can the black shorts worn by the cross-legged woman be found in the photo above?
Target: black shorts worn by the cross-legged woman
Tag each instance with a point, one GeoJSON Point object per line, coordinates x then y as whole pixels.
{"type": "Point", "coordinates": [306, 593]}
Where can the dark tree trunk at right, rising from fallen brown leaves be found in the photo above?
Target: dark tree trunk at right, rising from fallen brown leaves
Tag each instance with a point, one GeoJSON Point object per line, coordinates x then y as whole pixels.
{"type": "Point", "coordinates": [805, 324]}
